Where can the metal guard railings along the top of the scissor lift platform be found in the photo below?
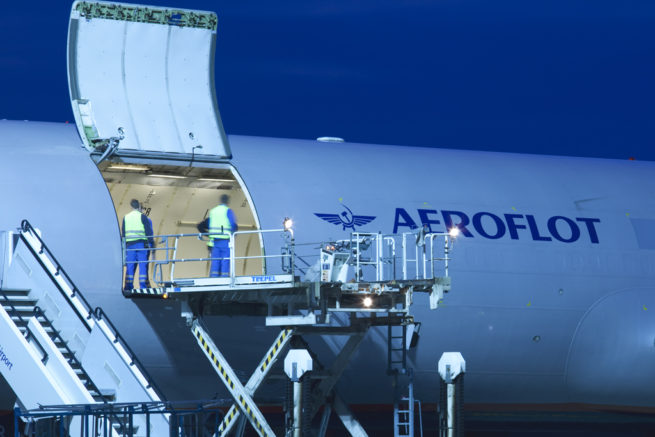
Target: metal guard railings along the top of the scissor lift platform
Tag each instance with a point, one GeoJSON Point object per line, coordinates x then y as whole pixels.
{"type": "Point", "coordinates": [422, 255]}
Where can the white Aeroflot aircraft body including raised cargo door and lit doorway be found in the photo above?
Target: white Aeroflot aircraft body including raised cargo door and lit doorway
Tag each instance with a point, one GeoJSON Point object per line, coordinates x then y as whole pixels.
{"type": "Point", "coordinates": [552, 297]}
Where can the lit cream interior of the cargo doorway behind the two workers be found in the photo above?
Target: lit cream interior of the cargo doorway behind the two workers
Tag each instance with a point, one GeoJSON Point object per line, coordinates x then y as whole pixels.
{"type": "Point", "coordinates": [176, 198]}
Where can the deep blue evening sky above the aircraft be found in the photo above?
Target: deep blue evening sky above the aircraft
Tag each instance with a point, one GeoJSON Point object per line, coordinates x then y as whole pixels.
{"type": "Point", "coordinates": [565, 77]}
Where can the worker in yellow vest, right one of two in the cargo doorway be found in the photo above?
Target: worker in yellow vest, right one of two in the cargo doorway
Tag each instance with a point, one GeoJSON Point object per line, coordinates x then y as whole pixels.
{"type": "Point", "coordinates": [220, 224]}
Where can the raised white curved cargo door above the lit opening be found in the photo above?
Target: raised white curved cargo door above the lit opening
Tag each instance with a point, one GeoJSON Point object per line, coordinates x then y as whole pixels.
{"type": "Point", "coordinates": [141, 81]}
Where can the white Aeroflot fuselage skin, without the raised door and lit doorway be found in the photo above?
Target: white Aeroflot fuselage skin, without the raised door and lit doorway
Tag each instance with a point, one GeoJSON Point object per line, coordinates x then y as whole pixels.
{"type": "Point", "coordinates": [552, 294]}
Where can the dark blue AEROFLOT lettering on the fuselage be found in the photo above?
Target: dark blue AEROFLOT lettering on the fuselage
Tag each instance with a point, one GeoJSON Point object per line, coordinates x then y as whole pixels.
{"type": "Point", "coordinates": [495, 226]}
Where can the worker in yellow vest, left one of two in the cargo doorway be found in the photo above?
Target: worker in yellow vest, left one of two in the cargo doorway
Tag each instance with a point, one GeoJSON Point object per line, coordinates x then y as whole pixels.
{"type": "Point", "coordinates": [137, 232]}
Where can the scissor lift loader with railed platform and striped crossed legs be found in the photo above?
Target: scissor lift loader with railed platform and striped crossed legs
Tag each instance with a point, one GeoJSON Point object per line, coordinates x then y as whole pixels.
{"type": "Point", "coordinates": [304, 307]}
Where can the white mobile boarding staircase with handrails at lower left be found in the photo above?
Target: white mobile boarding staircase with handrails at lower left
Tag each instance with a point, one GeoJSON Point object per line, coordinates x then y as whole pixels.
{"type": "Point", "coordinates": [52, 338]}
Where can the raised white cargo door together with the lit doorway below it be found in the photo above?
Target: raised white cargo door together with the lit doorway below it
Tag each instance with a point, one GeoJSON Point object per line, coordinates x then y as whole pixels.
{"type": "Point", "coordinates": [142, 90]}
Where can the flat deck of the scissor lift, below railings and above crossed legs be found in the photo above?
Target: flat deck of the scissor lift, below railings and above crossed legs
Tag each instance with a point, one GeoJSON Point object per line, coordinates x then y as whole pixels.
{"type": "Point", "coordinates": [278, 295]}
